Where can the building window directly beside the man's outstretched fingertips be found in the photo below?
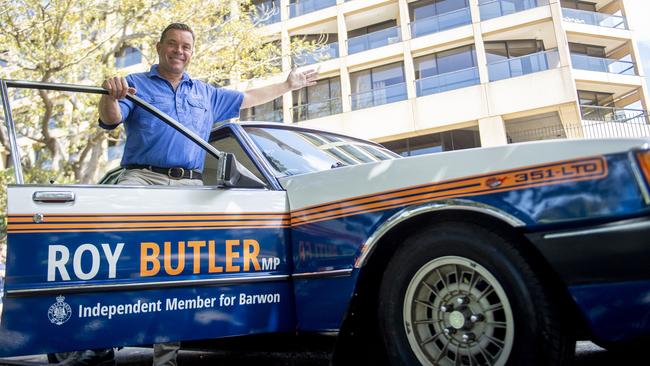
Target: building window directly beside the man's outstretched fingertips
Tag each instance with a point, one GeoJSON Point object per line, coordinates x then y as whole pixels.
{"type": "Point", "coordinates": [320, 100]}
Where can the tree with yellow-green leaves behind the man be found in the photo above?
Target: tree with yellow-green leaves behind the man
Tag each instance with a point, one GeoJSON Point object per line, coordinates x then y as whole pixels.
{"type": "Point", "coordinates": [76, 41]}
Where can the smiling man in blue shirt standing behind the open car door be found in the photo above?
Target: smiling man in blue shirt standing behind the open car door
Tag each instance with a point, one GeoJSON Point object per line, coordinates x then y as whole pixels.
{"type": "Point", "coordinates": [156, 154]}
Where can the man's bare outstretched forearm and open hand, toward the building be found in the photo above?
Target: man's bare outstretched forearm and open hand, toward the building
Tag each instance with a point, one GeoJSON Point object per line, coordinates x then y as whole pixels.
{"type": "Point", "coordinates": [296, 80]}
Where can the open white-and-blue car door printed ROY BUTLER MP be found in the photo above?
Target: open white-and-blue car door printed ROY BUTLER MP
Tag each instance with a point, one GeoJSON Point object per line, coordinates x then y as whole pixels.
{"type": "Point", "coordinates": [108, 265]}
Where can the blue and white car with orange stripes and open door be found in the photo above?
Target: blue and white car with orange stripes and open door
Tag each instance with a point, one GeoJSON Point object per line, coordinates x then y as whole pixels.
{"type": "Point", "coordinates": [489, 256]}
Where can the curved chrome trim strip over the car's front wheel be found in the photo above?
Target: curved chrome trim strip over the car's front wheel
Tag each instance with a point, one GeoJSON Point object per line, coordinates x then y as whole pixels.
{"type": "Point", "coordinates": [463, 205]}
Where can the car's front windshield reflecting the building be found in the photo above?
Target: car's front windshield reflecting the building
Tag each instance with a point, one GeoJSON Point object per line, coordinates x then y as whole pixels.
{"type": "Point", "coordinates": [292, 152]}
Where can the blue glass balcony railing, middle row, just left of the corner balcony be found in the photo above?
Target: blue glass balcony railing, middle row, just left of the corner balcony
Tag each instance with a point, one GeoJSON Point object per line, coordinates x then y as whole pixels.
{"type": "Point", "coordinates": [523, 65]}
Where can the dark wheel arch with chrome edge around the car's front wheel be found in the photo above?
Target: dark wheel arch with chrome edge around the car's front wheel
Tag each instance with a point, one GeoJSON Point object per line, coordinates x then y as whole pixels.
{"type": "Point", "coordinates": [383, 243]}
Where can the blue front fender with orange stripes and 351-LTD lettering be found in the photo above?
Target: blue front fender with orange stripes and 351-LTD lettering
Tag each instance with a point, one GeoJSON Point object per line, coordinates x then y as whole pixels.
{"type": "Point", "coordinates": [331, 236]}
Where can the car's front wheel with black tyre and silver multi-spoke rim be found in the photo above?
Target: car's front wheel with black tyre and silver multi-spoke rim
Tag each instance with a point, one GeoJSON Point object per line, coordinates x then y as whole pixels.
{"type": "Point", "coordinates": [458, 294]}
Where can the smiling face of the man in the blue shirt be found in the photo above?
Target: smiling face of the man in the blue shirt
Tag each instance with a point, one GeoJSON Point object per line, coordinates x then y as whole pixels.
{"type": "Point", "coordinates": [175, 51]}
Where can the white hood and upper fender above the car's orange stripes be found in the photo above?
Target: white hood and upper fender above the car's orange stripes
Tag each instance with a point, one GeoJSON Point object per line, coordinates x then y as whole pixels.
{"type": "Point", "coordinates": [316, 188]}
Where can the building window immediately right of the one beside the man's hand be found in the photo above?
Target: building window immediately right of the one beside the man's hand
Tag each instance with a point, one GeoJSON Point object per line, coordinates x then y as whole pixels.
{"type": "Point", "coordinates": [379, 85]}
